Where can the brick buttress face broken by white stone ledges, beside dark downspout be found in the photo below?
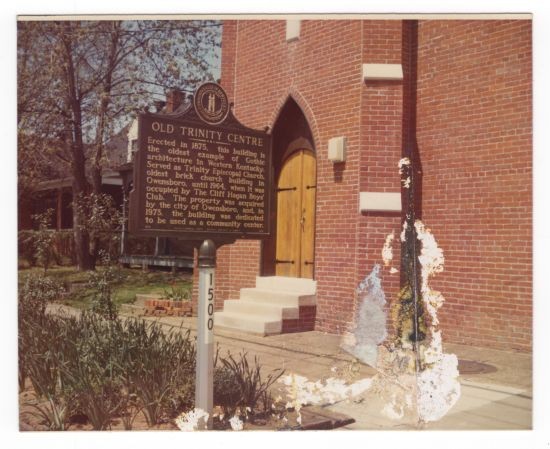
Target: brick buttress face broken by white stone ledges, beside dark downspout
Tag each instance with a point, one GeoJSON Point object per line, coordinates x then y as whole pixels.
{"type": "Point", "coordinates": [381, 142]}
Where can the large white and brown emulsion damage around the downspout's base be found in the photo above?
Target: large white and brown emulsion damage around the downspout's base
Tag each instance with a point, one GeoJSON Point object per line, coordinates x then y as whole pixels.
{"type": "Point", "coordinates": [416, 379]}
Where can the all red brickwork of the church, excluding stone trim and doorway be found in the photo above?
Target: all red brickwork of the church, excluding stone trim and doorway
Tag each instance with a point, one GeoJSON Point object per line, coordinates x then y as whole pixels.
{"type": "Point", "coordinates": [474, 138]}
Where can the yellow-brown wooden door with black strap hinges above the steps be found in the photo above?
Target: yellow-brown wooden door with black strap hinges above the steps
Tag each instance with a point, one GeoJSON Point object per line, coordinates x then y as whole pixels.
{"type": "Point", "coordinates": [296, 189]}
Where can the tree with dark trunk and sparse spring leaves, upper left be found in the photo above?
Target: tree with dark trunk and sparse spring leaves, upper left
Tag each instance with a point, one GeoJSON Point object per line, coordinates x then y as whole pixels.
{"type": "Point", "coordinates": [79, 82]}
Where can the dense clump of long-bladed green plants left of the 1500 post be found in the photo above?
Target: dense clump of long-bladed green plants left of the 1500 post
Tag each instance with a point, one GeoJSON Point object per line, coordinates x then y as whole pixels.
{"type": "Point", "coordinates": [103, 368]}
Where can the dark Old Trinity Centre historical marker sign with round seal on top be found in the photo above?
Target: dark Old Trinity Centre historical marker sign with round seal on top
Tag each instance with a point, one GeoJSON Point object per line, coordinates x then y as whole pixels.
{"type": "Point", "coordinates": [201, 173]}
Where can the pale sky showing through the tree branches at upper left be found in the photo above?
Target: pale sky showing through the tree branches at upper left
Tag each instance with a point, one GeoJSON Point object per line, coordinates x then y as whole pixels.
{"type": "Point", "coordinates": [152, 88]}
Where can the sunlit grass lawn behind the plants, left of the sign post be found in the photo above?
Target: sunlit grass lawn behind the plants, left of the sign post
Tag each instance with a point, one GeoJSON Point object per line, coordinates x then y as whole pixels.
{"type": "Point", "coordinates": [132, 281]}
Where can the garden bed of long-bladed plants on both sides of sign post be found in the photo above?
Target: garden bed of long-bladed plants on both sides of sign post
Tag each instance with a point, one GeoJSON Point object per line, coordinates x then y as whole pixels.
{"type": "Point", "coordinates": [94, 370]}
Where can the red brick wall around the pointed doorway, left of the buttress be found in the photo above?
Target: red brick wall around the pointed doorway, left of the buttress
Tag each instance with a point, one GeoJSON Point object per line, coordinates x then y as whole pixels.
{"type": "Point", "coordinates": [324, 78]}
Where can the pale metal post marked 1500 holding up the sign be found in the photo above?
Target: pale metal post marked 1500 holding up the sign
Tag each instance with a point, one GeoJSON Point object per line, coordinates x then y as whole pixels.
{"type": "Point", "coordinates": [204, 382]}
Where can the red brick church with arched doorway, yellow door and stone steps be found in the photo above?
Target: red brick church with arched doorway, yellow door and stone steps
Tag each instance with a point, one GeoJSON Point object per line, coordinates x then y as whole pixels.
{"type": "Point", "coordinates": [342, 100]}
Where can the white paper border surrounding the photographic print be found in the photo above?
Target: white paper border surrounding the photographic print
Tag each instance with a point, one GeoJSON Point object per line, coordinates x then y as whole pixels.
{"type": "Point", "coordinates": [540, 437]}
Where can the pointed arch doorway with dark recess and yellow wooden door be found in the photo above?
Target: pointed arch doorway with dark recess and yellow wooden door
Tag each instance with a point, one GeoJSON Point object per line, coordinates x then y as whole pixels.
{"type": "Point", "coordinates": [290, 251]}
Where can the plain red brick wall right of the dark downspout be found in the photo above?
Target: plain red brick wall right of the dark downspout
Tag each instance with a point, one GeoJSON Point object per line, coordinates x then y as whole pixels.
{"type": "Point", "coordinates": [474, 135]}
